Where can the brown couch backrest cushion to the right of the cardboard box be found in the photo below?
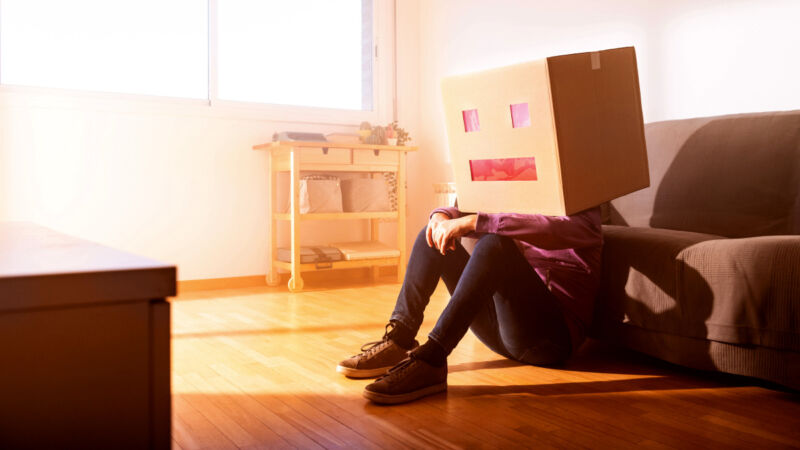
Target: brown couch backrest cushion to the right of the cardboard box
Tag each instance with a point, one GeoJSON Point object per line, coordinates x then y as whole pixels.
{"type": "Point", "coordinates": [733, 176]}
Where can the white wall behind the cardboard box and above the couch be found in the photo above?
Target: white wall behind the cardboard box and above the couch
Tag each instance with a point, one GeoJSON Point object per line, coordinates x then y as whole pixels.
{"type": "Point", "coordinates": [696, 57]}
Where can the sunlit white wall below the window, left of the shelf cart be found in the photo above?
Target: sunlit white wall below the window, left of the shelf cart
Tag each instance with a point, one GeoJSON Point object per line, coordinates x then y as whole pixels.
{"type": "Point", "coordinates": [166, 182]}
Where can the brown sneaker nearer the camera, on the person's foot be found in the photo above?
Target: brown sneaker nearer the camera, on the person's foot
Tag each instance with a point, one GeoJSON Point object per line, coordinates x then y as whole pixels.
{"type": "Point", "coordinates": [411, 379]}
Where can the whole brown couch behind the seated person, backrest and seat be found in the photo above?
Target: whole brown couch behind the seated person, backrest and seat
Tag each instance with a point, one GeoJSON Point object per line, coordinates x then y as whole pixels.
{"type": "Point", "coordinates": [702, 269]}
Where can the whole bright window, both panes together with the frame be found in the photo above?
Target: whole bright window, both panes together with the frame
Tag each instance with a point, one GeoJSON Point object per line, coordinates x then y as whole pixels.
{"type": "Point", "coordinates": [304, 54]}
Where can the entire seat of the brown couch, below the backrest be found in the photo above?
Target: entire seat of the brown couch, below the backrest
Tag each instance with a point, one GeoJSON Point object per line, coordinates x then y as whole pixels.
{"type": "Point", "coordinates": [740, 291]}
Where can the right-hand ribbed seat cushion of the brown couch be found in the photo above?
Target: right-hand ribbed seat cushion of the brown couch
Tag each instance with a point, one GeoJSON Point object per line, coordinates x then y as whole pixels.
{"type": "Point", "coordinates": [754, 285]}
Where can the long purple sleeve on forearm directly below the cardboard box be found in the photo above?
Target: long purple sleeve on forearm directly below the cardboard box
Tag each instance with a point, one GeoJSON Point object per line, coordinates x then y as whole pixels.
{"type": "Point", "coordinates": [546, 232]}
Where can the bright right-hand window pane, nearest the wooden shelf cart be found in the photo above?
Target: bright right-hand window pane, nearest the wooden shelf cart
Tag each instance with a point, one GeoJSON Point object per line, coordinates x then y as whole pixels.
{"type": "Point", "coordinates": [311, 53]}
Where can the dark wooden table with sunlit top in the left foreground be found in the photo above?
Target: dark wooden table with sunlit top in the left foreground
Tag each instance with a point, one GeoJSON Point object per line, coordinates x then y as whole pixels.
{"type": "Point", "coordinates": [84, 343]}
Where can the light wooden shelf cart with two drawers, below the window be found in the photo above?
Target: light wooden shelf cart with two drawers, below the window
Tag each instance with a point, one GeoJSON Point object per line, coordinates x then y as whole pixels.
{"type": "Point", "coordinates": [293, 157]}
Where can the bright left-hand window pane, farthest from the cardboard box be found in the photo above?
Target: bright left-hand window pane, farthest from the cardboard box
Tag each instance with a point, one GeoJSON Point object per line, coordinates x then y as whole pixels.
{"type": "Point", "coordinates": [148, 47]}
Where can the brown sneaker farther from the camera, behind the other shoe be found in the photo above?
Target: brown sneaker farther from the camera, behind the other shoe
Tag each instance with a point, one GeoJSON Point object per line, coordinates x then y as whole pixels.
{"type": "Point", "coordinates": [375, 359]}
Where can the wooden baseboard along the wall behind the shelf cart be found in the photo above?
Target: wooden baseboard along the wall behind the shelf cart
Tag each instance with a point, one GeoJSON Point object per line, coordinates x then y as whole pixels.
{"type": "Point", "coordinates": [322, 277]}
